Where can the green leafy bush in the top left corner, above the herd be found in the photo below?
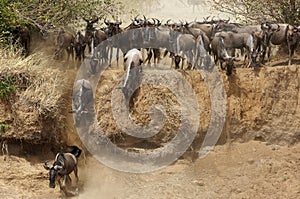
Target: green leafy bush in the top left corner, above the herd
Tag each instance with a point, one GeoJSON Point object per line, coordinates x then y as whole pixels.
{"type": "Point", "coordinates": [45, 15]}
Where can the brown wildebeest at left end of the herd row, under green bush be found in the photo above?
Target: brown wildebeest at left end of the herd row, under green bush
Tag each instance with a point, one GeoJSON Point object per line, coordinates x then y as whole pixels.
{"type": "Point", "coordinates": [64, 41]}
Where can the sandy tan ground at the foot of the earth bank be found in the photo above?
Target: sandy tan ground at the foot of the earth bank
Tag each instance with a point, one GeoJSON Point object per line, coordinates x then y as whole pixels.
{"type": "Point", "coordinates": [250, 170]}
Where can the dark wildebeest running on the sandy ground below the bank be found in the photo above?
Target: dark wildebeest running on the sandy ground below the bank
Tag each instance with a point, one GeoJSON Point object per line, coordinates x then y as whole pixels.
{"type": "Point", "coordinates": [64, 164]}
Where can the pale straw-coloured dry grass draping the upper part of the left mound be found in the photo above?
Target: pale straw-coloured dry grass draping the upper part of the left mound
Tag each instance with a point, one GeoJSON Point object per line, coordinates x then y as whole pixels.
{"type": "Point", "coordinates": [42, 85]}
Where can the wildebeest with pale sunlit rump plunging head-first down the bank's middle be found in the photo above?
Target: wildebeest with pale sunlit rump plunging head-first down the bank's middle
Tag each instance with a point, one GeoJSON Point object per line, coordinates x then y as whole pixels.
{"type": "Point", "coordinates": [132, 62]}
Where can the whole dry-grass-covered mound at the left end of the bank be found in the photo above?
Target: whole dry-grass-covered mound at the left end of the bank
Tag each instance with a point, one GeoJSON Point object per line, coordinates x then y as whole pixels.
{"type": "Point", "coordinates": [37, 107]}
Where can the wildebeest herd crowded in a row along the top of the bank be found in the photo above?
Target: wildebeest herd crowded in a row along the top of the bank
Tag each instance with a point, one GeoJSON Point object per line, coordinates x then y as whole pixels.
{"type": "Point", "coordinates": [191, 41]}
